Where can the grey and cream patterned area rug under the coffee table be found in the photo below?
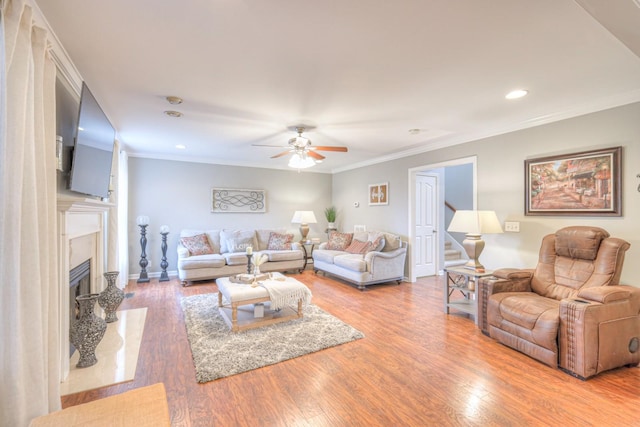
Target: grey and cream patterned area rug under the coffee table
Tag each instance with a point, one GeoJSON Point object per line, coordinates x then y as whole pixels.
{"type": "Point", "coordinates": [219, 353]}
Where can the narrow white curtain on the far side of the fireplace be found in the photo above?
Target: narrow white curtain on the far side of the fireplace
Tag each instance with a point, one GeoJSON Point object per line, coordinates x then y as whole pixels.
{"type": "Point", "coordinates": [123, 214]}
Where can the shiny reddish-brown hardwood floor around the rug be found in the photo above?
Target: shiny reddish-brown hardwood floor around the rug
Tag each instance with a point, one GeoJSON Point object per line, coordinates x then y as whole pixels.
{"type": "Point", "coordinates": [416, 366]}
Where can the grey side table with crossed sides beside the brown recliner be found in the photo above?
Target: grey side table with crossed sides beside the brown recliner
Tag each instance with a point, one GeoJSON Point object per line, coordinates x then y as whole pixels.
{"type": "Point", "coordinates": [465, 281]}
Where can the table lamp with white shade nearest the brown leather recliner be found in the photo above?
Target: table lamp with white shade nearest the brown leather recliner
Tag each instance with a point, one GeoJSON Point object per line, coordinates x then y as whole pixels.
{"type": "Point", "coordinates": [474, 224]}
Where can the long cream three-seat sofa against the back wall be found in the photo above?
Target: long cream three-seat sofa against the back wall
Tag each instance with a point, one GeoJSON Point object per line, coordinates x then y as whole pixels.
{"type": "Point", "coordinates": [228, 254]}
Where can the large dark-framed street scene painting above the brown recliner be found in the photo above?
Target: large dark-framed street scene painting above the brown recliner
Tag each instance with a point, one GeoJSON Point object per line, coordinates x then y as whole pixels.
{"type": "Point", "coordinates": [578, 184]}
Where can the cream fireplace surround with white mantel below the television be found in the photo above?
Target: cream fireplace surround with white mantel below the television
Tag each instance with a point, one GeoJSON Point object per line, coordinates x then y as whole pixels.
{"type": "Point", "coordinates": [81, 236]}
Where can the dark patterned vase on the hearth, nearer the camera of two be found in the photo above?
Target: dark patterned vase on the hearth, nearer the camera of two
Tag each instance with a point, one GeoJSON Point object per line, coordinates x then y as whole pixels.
{"type": "Point", "coordinates": [88, 331]}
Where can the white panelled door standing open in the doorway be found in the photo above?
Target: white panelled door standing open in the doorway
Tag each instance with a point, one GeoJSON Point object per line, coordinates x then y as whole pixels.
{"type": "Point", "coordinates": [426, 237]}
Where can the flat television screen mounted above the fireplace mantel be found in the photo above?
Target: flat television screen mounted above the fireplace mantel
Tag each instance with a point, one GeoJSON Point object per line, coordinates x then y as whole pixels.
{"type": "Point", "coordinates": [93, 149]}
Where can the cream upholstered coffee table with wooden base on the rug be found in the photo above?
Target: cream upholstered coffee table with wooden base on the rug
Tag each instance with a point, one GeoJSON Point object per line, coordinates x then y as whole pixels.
{"type": "Point", "coordinates": [240, 313]}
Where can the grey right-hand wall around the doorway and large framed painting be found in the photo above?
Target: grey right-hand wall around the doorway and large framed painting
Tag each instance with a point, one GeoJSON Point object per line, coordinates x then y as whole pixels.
{"type": "Point", "coordinates": [500, 173]}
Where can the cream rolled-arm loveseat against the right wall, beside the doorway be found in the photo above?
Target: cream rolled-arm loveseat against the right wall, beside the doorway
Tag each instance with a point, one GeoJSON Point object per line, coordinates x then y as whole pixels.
{"type": "Point", "coordinates": [383, 264]}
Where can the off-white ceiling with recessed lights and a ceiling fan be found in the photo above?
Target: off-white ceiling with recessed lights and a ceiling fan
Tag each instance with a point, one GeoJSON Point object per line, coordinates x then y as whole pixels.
{"type": "Point", "coordinates": [363, 72]}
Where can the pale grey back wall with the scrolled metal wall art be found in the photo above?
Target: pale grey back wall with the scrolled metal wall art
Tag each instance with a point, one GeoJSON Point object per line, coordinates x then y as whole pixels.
{"type": "Point", "coordinates": [178, 194]}
